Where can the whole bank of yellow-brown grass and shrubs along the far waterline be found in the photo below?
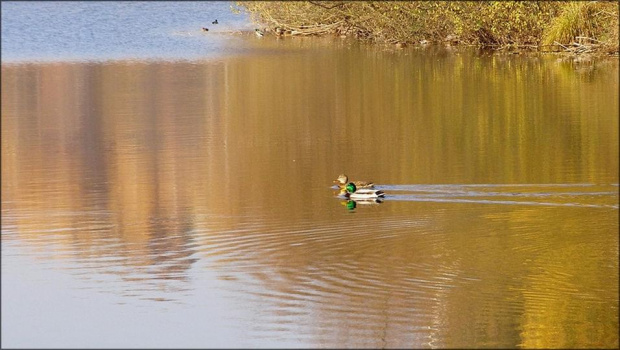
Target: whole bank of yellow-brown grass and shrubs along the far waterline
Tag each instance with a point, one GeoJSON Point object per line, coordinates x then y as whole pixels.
{"type": "Point", "coordinates": [574, 26]}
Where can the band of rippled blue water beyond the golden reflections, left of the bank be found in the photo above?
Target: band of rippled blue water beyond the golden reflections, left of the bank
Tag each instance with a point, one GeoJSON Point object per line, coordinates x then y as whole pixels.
{"type": "Point", "coordinates": [119, 30]}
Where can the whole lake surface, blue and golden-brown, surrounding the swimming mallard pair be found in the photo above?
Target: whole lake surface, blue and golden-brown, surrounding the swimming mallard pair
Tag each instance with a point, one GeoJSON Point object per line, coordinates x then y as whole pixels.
{"type": "Point", "coordinates": [167, 190]}
